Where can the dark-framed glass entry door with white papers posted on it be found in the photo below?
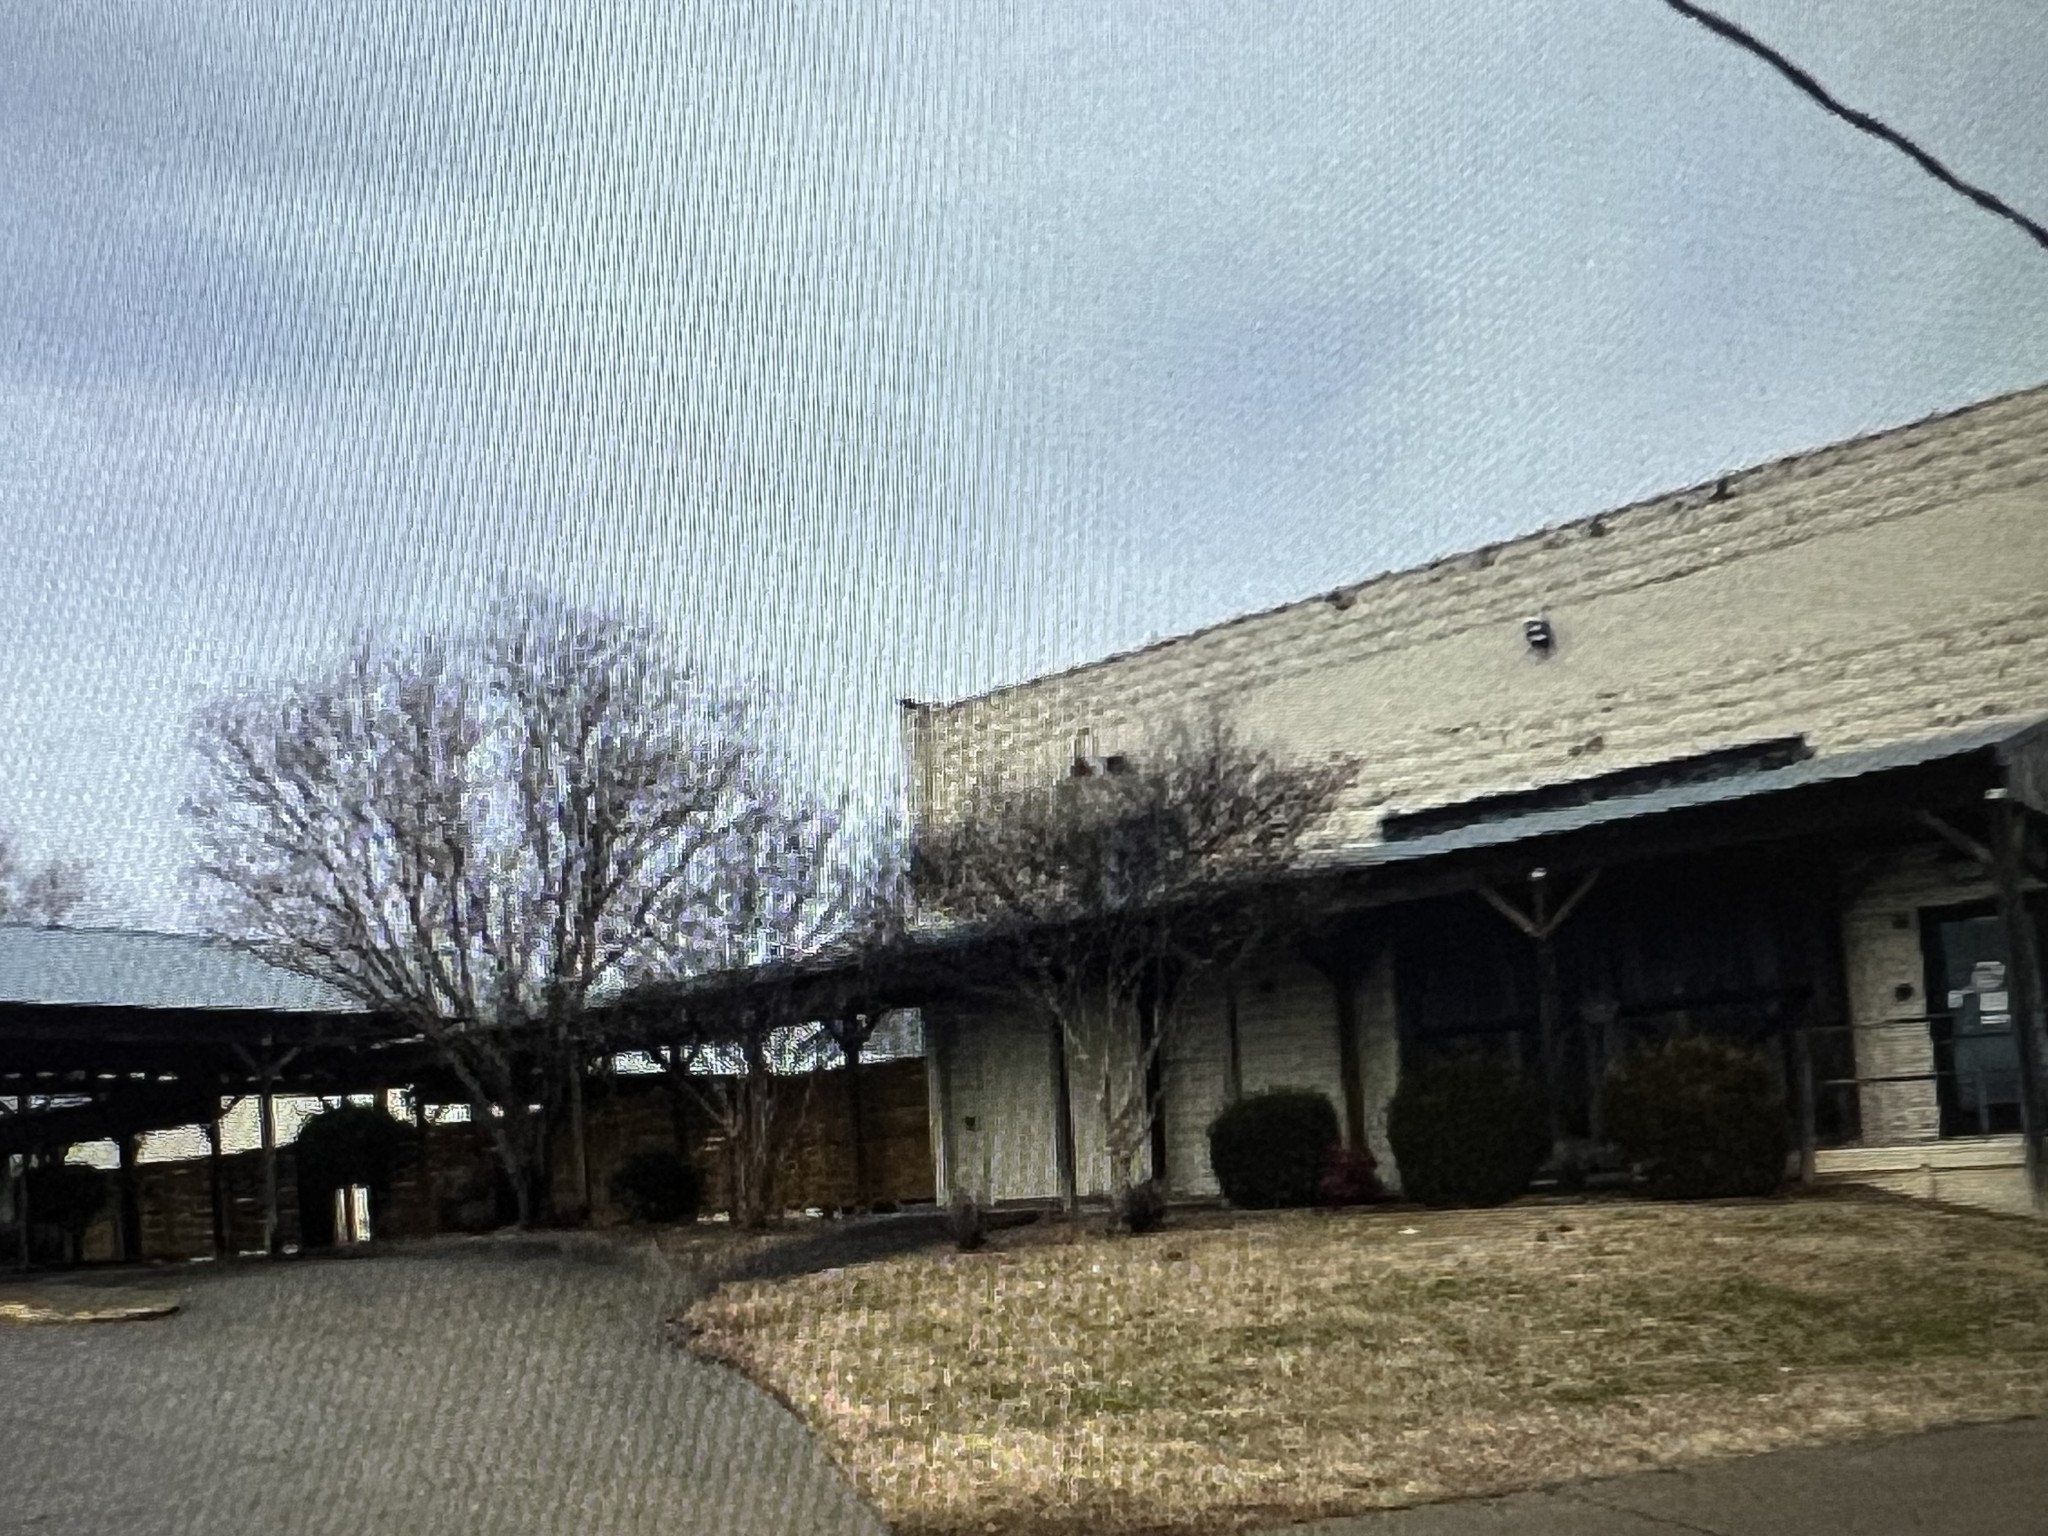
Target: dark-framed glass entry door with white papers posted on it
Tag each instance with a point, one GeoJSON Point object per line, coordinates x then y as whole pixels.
{"type": "Point", "coordinates": [1977, 1052]}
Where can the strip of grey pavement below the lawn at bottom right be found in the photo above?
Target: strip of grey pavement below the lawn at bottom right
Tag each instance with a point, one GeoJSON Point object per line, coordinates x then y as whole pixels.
{"type": "Point", "coordinates": [1973, 1482]}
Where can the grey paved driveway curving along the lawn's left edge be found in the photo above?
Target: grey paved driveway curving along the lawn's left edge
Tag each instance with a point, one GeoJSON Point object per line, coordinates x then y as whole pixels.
{"type": "Point", "coordinates": [490, 1388]}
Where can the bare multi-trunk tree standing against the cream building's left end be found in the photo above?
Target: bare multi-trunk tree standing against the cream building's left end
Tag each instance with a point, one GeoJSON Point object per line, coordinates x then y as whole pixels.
{"type": "Point", "coordinates": [1103, 898]}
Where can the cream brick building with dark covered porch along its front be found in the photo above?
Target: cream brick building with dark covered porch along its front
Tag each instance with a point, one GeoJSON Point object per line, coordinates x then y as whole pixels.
{"type": "Point", "coordinates": [1738, 738]}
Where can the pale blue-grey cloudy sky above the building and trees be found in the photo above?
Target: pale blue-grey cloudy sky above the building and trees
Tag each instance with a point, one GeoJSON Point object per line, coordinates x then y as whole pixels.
{"type": "Point", "coordinates": [910, 349]}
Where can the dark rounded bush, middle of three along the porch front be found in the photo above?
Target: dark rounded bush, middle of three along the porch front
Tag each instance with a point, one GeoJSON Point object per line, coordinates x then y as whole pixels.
{"type": "Point", "coordinates": [1465, 1132]}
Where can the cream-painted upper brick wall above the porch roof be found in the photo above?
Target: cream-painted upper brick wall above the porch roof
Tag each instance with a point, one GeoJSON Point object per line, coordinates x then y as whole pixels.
{"type": "Point", "coordinates": [1871, 591]}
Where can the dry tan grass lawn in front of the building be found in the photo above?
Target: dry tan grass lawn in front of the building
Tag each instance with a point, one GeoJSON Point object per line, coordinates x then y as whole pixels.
{"type": "Point", "coordinates": [1248, 1371]}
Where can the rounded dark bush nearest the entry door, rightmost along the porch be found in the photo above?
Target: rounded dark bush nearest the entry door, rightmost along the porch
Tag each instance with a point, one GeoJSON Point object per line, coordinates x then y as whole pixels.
{"type": "Point", "coordinates": [1703, 1117]}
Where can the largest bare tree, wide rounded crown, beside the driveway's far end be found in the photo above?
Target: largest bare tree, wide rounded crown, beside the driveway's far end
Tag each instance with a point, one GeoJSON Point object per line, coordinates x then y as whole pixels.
{"type": "Point", "coordinates": [476, 837]}
